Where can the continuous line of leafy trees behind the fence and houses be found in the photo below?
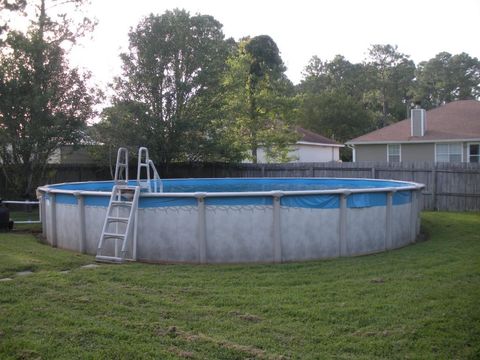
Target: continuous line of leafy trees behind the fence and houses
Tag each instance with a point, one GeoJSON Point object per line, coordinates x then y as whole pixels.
{"type": "Point", "coordinates": [190, 94]}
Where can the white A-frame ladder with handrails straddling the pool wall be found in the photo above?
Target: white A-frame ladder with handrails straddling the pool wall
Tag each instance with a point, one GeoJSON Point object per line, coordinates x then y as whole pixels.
{"type": "Point", "coordinates": [122, 211]}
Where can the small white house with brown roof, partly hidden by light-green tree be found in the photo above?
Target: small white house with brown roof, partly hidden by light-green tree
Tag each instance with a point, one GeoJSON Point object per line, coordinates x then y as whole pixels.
{"type": "Point", "coordinates": [311, 147]}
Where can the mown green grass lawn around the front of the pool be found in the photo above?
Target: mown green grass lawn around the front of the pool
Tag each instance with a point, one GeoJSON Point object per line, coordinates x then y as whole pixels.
{"type": "Point", "coordinates": [419, 302]}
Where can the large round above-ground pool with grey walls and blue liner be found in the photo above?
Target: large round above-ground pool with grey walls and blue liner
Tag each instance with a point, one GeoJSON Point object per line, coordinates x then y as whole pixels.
{"type": "Point", "coordinates": [238, 220]}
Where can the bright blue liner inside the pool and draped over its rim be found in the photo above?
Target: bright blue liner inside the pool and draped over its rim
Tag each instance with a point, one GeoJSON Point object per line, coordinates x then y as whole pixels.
{"type": "Point", "coordinates": [317, 201]}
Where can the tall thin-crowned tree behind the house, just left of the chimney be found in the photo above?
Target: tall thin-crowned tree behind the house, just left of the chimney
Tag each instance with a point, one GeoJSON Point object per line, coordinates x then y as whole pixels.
{"type": "Point", "coordinates": [391, 75]}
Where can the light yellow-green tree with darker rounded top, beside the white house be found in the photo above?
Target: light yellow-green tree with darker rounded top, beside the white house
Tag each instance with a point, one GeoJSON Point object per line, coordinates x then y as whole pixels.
{"type": "Point", "coordinates": [259, 100]}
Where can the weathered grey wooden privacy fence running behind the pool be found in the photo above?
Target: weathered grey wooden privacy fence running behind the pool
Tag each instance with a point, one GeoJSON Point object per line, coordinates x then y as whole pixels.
{"type": "Point", "coordinates": [449, 187]}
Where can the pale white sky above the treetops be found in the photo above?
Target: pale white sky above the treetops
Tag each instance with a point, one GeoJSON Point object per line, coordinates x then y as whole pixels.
{"type": "Point", "coordinates": [300, 28]}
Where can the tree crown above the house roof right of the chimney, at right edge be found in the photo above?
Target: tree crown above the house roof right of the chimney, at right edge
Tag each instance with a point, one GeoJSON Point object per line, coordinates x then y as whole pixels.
{"type": "Point", "coordinates": [447, 78]}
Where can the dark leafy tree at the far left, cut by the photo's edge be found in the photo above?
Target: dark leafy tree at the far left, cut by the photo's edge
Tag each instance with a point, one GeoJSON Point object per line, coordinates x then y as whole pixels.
{"type": "Point", "coordinates": [43, 103]}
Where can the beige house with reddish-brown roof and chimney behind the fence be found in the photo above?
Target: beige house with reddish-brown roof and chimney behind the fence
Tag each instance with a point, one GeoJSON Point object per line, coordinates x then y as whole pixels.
{"type": "Point", "coordinates": [450, 133]}
